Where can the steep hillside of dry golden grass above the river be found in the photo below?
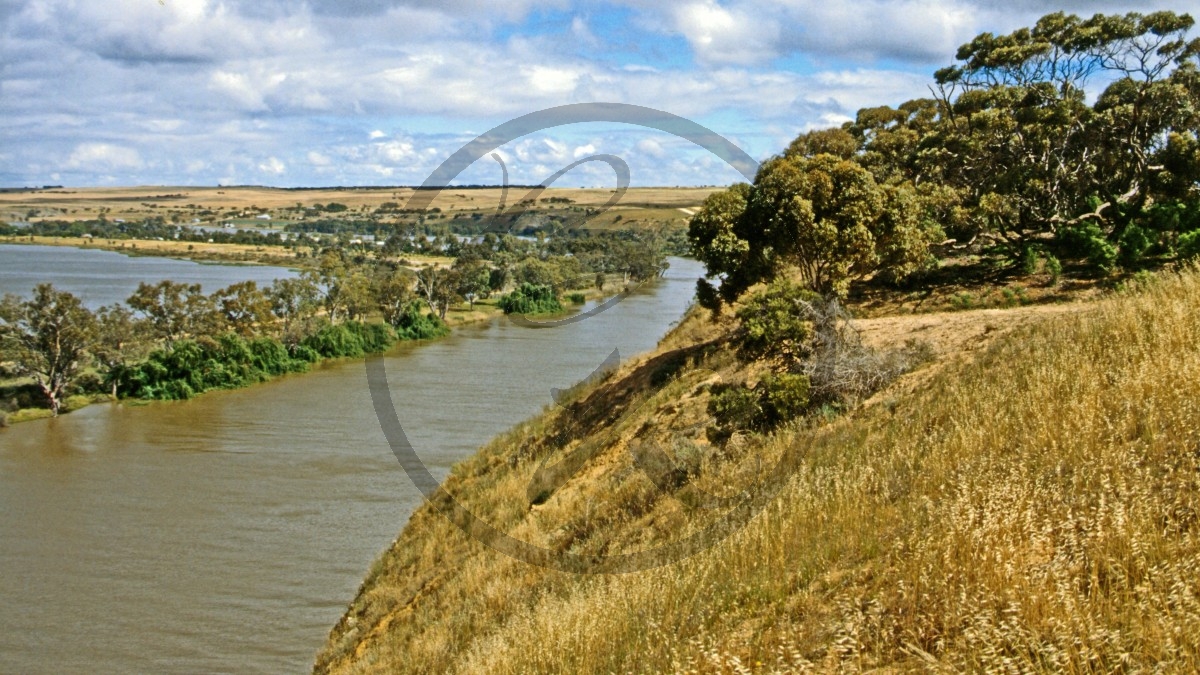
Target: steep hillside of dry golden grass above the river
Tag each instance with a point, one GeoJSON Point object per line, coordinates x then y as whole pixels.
{"type": "Point", "coordinates": [1030, 506]}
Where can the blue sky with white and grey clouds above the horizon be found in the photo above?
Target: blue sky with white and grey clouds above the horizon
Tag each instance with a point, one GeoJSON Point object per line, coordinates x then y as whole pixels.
{"type": "Point", "coordinates": [351, 93]}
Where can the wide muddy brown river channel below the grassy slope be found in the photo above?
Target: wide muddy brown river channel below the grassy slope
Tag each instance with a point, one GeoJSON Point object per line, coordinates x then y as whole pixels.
{"type": "Point", "coordinates": [229, 534]}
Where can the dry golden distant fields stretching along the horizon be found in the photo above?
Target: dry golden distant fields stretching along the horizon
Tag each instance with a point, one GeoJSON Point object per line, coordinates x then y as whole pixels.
{"type": "Point", "coordinates": [641, 206]}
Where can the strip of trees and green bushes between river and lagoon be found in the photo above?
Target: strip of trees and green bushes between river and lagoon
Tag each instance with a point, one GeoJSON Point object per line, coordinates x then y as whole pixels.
{"type": "Point", "coordinates": [172, 342]}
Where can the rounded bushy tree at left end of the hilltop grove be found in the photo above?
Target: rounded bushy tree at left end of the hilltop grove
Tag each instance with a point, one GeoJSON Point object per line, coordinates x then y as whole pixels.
{"type": "Point", "coordinates": [825, 217]}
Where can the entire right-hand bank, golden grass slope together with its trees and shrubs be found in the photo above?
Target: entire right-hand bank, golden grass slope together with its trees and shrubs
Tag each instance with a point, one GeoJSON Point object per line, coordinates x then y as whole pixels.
{"type": "Point", "coordinates": [1030, 506]}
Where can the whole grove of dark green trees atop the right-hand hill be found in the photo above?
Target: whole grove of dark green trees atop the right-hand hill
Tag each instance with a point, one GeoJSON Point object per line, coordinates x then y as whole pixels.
{"type": "Point", "coordinates": [1007, 157]}
